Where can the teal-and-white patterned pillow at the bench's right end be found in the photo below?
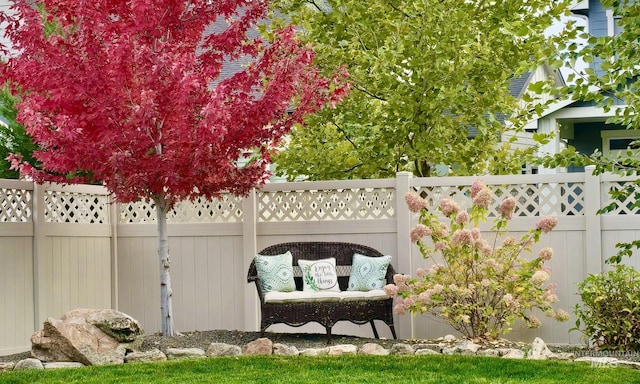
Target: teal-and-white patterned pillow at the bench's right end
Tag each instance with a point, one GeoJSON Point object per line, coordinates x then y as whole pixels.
{"type": "Point", "coordinates": [368, 272]}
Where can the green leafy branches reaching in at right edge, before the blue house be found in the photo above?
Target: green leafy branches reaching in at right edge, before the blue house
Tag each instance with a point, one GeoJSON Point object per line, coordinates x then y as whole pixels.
{"type": "Point", "coordinates": [611, 81]}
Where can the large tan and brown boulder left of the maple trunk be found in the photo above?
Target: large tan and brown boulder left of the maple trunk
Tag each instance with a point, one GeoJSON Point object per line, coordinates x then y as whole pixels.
{"type": "Point", "coordinates": [87, 336]}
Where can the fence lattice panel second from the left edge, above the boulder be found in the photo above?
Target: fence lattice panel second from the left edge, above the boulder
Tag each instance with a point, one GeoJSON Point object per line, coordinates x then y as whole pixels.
{"type": "Point", "coordinates": [76, 207]}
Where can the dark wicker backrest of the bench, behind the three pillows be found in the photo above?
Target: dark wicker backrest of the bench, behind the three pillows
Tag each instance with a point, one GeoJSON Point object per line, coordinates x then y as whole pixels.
{"type": "Point", "coordinates": [312, 250]}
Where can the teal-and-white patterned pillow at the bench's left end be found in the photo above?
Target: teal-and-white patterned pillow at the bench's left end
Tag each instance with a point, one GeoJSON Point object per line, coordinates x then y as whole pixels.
{"type": "Point", "coordinates": [276, 272]}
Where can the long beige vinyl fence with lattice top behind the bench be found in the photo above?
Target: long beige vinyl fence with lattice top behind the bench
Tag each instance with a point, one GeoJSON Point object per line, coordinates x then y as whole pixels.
{"type": "Point", "coordinates": [68, 247]}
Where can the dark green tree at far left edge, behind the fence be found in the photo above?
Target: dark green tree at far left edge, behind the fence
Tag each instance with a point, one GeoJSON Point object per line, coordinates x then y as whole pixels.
{"type": "Point", "coordinates": [13, 137]}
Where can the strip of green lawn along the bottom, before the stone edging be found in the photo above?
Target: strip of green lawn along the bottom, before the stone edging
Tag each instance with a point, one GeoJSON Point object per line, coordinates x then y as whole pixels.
{"type": "Point", "coordinates": [335, 369]}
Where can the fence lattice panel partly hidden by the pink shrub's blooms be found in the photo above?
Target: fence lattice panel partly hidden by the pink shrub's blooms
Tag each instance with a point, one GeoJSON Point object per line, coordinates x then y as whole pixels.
{"type": "Point", "coordinates": [541, 199]}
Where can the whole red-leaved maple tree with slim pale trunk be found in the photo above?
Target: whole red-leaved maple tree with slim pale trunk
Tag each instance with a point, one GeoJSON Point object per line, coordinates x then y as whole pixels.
{"type": "Point", "coordinates": [128, 93]}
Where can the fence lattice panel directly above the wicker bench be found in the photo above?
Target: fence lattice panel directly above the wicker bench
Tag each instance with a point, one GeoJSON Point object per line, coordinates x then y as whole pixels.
{"type": "Point", "coordinates": [329, 204]}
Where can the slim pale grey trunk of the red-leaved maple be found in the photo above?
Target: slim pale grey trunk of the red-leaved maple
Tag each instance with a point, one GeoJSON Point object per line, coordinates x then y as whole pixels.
{"type": "Point", "coordinates": [166, 308]}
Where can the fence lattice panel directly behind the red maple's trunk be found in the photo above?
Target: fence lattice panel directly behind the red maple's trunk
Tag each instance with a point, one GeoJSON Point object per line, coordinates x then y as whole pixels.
{"type": "Point", "coordinates": [227, 209]}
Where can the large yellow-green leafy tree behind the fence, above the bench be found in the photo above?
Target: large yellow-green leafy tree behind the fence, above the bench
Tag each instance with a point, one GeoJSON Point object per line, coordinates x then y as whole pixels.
{"type": "Point", "coordinates": [423, 74]}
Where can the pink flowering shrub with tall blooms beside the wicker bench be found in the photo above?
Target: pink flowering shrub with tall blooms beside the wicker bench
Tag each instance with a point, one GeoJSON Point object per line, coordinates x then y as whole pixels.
{"type": "Point", "coordinates": [478, 286]}
